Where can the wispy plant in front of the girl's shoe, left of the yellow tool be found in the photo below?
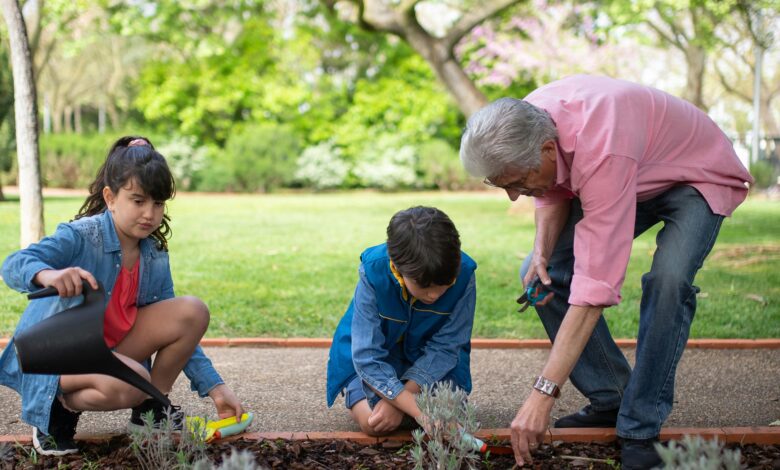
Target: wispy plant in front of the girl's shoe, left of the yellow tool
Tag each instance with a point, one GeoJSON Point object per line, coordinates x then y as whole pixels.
{"type": "Point", "coordinates": [165, 448]}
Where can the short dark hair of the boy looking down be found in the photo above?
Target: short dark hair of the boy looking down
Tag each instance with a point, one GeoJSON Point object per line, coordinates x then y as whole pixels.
{"type": "Point", "coordinates": [424, 245]}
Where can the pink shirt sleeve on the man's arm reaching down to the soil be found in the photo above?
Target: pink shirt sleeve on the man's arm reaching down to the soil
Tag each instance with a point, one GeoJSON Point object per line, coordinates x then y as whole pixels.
{"type": "Point", "coordinates": [603, 238]}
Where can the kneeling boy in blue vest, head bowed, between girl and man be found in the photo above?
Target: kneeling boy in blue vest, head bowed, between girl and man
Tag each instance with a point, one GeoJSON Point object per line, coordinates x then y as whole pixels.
{"type": "Point", "coordinates": [409, 322]}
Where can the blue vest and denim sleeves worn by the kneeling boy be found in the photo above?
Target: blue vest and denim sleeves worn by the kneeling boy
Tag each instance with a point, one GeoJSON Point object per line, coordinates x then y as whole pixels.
{"type": "Point", "coordinates": [387, 337]}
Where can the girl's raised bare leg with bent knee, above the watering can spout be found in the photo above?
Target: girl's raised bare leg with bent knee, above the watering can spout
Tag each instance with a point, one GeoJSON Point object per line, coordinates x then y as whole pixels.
{"type": "Point", "coordinates": [171, 328]}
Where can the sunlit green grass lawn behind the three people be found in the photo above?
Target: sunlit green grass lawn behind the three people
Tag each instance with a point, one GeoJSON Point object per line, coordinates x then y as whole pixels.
{"type": "Point", "coordinates": [286, 265]}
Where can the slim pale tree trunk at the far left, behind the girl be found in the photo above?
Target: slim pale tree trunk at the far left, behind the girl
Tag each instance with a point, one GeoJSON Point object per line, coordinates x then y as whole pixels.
{"type": "Point", "coordinates": [26, 115]}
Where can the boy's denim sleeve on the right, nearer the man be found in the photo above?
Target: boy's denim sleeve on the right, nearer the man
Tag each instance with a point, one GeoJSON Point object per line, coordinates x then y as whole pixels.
{"type": "Point", "coordinates": [442, 351]}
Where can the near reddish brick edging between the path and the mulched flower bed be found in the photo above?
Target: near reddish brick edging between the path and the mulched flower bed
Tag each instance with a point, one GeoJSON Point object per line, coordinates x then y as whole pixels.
{"type": "Point", "coordinates": [744, 435]}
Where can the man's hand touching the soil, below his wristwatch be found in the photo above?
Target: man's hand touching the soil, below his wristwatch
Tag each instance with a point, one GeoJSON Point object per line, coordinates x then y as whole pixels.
{"type": "Point", "coordinates": [530, 425]}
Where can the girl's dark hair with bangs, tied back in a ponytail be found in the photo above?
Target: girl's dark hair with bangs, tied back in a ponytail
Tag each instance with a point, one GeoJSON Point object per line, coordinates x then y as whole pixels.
{"type": "Point", "coordinates": [133, 157]}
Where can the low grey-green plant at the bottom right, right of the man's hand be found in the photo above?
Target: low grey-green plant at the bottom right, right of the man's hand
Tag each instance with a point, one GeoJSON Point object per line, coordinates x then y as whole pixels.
{"type": "Point", "coordinates": [697, 453]}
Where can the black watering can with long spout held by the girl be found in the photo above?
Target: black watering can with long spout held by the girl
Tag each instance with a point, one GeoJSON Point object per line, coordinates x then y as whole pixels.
{"type": "Point", "coordinates": [71, 342]}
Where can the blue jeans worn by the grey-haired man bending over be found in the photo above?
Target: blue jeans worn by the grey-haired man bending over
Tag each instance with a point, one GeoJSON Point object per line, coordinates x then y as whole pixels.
{"type": "Point", "coordinates": [668, 304]}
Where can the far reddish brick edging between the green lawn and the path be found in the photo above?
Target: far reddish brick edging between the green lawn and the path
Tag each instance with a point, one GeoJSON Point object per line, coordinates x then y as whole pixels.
{"type": "Point", "coordinates": [476, 343]}
